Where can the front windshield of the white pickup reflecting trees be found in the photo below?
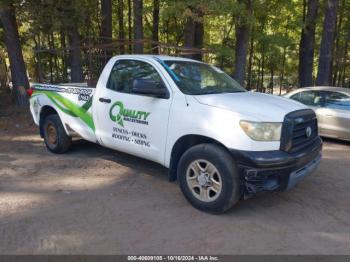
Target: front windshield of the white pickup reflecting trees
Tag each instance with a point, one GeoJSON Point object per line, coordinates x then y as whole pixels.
{"type": "Point", "coordinates": [199, 79]}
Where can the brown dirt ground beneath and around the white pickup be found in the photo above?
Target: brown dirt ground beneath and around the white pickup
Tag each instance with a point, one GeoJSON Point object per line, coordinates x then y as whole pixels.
{"type": "Point", "coordinates": [97, 201]}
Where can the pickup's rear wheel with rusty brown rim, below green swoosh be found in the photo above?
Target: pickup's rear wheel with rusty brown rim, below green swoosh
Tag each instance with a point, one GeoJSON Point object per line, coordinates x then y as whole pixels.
{"type": "Point", "coordinates": [56, 139]}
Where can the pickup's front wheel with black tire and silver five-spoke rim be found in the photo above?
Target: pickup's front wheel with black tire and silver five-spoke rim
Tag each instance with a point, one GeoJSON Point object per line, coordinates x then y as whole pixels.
{"type": "Point", "coordinates": [203, 189]}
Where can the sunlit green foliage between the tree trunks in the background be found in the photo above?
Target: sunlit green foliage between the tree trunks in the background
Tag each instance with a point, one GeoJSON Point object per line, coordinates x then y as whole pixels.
{"type": "Point", "coordinates": [275, 33]}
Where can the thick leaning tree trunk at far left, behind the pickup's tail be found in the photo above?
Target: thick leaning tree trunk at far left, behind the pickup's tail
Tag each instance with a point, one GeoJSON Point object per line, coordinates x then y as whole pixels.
{"type": "Point", "coordinates": [13, 46]}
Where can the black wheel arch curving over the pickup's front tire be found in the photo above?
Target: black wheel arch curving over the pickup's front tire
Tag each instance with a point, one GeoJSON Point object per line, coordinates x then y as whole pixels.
{"type": "Point", "coordinates": [182, 145]}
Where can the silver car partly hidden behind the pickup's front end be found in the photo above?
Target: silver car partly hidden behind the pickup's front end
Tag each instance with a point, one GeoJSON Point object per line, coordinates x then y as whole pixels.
{"type": "Point", "coordinates": [332, 107]}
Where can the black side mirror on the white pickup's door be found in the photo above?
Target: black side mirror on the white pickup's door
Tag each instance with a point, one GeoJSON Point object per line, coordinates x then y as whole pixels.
{"type": "Point", "coordinates": [149, 87]}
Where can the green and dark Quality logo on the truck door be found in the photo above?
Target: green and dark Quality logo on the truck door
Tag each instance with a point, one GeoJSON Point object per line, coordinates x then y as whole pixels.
{"type": "Point", "coordinates": [124, 114]}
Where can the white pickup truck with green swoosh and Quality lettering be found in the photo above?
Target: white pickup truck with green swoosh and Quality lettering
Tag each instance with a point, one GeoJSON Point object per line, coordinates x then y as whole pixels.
{"type": "Point", "coordinates": [221, 142]}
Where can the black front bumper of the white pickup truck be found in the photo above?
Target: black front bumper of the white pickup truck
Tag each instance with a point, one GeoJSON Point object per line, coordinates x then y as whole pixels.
{"type": "Point", "coordinates": [275, 170]}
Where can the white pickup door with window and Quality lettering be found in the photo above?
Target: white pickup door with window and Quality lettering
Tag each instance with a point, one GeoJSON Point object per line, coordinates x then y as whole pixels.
{"type": "Point", "coordinates": [132, 122]}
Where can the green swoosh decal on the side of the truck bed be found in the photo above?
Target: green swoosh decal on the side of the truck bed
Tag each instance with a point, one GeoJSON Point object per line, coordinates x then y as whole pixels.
{"type": "Point", "coordinates": [70, 108]}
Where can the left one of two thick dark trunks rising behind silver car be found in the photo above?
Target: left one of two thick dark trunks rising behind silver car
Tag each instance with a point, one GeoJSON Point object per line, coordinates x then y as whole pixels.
{"type": "Point", "coordinates": [307, 45]}
